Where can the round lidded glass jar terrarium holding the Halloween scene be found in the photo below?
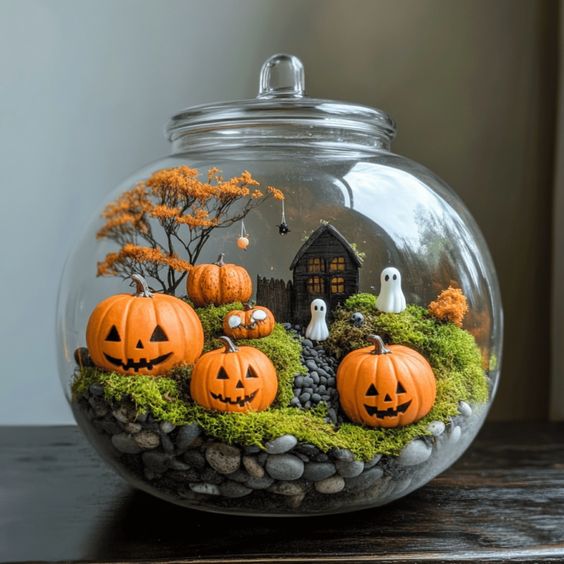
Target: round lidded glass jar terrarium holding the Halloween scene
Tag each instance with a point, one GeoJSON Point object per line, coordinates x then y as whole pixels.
{"type": "Point", "coordinates": [282, 317]}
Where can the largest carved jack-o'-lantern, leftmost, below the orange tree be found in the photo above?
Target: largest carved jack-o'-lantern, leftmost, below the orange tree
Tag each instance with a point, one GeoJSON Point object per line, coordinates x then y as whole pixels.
{"type": "Point", "coordinates": [144, 333]}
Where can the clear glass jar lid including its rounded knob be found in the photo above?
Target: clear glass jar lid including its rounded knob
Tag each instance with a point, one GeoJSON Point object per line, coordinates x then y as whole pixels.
{"type": "Point", "coordinates": [282, 100]}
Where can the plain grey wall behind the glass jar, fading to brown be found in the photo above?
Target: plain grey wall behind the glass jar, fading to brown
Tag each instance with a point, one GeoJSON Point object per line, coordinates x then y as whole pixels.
{"type": "Point", "coordinates": [86, 86]}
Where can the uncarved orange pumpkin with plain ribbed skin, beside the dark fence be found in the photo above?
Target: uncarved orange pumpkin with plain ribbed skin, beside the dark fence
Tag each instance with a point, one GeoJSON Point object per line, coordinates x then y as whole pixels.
{"type": "Point", "coordinates": [219, 283]}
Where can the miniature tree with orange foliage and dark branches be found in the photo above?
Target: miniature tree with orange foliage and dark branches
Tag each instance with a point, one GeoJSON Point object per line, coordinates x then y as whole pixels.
{"type": "Point", "coordinates": [163, 223]}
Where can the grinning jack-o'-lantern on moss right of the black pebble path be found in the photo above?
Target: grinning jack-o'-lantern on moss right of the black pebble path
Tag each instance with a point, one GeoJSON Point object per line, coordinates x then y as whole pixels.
{"type": "Point", "coordinates": [385, 387]}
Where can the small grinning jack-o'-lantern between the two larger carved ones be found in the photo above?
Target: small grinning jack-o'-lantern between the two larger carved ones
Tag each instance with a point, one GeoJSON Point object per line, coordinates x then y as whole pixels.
{"type": "Point", "coordinates": [234, 379]}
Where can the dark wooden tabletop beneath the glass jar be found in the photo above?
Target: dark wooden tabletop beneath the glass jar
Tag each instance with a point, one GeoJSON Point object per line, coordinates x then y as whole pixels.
{"type": "Point", "coordinates": [504, 500]}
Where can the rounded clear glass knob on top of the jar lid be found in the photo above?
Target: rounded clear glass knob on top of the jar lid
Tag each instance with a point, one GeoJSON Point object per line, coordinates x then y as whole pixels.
{"type": "Point", "coordinates": [282, 75]}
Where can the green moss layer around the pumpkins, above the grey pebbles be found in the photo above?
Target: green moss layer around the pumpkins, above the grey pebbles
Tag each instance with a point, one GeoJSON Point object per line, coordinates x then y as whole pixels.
{"type": "Point", "coordinates": [452, 352]}
